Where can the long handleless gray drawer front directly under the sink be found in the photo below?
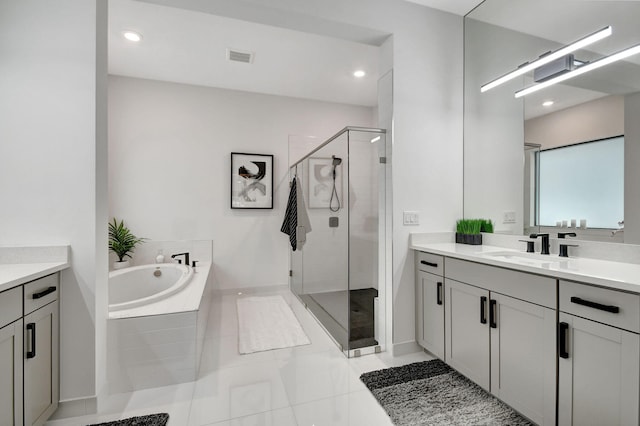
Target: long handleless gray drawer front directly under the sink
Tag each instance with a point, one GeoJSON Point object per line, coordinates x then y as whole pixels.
{"type": "Point", "coordinates": [521, 285]}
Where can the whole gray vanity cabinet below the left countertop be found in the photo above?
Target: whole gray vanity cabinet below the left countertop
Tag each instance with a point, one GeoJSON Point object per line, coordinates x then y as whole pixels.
{"type": "Point", "coordinates": [29, 351]}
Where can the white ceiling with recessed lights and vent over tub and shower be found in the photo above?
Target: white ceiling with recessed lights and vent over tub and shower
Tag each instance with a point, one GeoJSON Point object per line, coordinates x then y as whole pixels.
{"type": "Point", "coordinates": [295, 55]}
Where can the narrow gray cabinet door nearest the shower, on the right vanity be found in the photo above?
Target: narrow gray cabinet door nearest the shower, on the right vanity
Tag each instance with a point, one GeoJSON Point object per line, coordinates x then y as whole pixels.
{"type": "Point", "coordinates": [431, 316]}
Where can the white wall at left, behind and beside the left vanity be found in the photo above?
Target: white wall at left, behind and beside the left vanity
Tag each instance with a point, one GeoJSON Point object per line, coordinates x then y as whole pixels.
{"type": "Point", "coordinates": [50, 184]}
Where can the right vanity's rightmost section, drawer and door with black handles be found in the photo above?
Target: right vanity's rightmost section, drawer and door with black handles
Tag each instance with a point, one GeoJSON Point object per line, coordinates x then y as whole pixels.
{"type": "Point", "coordinates": [599, 353]}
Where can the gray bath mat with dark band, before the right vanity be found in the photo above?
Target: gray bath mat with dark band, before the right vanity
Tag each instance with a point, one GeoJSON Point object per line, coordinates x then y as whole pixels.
{"type": "Point", "coordinates": [432, 393]}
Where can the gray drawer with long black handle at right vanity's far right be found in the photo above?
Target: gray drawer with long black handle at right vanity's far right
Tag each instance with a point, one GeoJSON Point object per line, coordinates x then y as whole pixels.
{"type": "Point", "coordinates": [600, 304]}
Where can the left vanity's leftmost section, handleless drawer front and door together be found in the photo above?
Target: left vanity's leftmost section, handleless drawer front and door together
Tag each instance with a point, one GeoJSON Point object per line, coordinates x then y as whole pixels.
{"type": "Point", "coordinates": [11, 357]}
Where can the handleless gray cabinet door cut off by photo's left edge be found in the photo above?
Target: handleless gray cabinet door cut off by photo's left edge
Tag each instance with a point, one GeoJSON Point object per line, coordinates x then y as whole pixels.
{"type": "Point", "coordinates": [11, 374]}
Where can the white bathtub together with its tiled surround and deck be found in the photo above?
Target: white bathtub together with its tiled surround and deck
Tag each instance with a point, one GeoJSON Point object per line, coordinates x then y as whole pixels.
{"type": "Point", "coordinates": [157, 325]}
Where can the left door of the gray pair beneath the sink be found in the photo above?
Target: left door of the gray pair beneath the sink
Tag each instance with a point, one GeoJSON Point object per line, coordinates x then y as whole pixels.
{"type": "Point", "coordinates": [467, 330]}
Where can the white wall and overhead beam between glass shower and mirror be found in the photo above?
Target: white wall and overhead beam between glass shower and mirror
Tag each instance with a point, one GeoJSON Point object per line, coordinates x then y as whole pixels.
{"type": "Point", "coordinates": [427, 120]}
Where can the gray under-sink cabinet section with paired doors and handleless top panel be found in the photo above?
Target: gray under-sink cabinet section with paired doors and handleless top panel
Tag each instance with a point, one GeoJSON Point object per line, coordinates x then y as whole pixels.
{"type": "Point", "coordinates": [500, 331]}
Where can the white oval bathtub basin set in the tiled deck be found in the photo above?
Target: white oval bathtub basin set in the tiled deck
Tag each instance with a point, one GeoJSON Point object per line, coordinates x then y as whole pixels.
{"type": "Point", "coordinates": [146, 284]}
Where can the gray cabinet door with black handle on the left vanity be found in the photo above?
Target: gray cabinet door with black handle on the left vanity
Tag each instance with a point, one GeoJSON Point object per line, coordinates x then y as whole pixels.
{"type": "Point", "coordinates": [41, 339]}
